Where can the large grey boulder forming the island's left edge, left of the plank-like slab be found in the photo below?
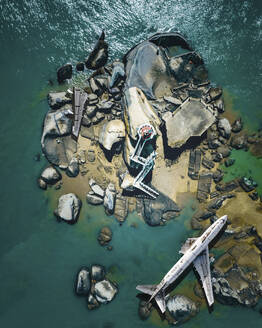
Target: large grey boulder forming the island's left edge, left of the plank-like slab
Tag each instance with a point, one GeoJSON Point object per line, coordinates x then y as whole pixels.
{"type": "Point", "coordinates": [57, 144]}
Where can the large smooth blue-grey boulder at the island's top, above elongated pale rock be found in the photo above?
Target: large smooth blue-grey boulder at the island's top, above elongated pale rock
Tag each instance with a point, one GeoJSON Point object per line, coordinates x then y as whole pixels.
{"type": "Point", "coordinates": [146, 67]}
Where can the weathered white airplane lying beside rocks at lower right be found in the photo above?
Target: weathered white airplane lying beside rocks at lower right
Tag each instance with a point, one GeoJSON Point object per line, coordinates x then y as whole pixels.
{"type": "Point", "coordinates": [195, 250]}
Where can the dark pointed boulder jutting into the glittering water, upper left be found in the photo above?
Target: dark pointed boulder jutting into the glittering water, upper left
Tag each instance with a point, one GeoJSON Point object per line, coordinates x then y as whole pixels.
{"type": "Point", "coordinates": [99, 55]}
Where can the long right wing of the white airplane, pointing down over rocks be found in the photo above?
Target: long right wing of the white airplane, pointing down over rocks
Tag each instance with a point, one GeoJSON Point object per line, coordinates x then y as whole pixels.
{"type": "Point", "coordinates": [202, 266]}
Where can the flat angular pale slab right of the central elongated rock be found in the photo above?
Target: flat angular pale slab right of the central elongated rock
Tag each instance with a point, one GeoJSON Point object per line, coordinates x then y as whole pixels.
{"type": "Point", "coordinates": [190, 119]}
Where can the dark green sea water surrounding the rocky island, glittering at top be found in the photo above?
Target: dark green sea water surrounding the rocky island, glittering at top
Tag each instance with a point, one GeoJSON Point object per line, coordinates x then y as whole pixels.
{"type": "Point", "coordinates": [38, 256]}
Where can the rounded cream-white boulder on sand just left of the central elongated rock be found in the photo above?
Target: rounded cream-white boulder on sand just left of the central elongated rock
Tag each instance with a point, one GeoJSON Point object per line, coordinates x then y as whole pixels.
{"type": "Point", "coordinates": [111, 133]}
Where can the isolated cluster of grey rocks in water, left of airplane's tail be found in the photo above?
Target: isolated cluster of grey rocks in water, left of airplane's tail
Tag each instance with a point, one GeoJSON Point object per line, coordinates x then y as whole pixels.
{"type": "Point", "coordinates": [94, 285]}
